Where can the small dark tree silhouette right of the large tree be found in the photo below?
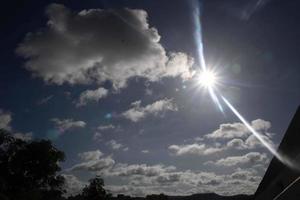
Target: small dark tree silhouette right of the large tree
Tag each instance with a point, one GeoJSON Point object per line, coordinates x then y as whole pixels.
{"type": "Point", "coordinates": [95, 190]}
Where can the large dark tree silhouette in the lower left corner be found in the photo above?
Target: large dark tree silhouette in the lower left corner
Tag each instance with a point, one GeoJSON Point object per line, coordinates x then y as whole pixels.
{"type": "Point", "coordinates": [28, 170]}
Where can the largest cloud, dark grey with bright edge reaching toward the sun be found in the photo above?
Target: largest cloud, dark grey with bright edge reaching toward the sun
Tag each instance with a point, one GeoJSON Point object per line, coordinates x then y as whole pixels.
{"type": "Point", "coordinates": [97, 45]}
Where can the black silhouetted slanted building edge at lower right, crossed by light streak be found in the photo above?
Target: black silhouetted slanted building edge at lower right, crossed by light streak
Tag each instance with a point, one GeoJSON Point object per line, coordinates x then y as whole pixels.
{"type": "Point", "coordinates": [280, 181]}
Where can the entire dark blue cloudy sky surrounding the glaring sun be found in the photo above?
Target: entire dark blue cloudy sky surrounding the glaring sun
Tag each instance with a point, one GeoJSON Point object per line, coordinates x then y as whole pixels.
{"type": "Point", "coordinates": [114, 85]}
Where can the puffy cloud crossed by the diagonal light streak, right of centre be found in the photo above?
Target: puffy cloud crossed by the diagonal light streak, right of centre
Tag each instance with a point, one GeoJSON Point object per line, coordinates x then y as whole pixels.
{"type": "Point", "coordinates": [238, 130]}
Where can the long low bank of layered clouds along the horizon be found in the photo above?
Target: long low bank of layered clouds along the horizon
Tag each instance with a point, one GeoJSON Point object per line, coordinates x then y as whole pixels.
{"type": "Point", "coordinates": [143, 179]}
